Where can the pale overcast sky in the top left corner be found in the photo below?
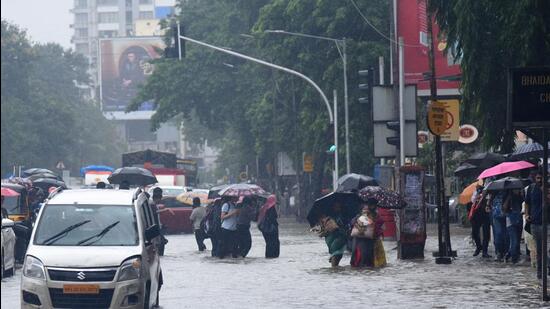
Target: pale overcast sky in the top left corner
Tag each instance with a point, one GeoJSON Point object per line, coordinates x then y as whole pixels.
{"type": "Point", "coordinates": [45, 20]}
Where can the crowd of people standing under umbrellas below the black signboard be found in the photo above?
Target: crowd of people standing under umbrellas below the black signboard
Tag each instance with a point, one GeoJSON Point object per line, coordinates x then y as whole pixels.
{"type": "Point", "coordinates": [512, 214]}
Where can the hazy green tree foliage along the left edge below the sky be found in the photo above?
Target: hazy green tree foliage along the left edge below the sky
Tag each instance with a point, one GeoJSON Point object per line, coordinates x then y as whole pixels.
{"type": "Point", "coordinates": [45, 118]}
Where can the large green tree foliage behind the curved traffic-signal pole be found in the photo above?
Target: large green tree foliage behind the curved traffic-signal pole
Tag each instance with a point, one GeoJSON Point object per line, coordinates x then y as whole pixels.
{"type": "Point", "coordinates": [256, 110]}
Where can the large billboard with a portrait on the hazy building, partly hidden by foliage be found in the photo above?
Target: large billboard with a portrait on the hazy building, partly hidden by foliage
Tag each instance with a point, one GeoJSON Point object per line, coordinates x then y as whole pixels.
{"type": "Point", "coordinates": [125, 64]}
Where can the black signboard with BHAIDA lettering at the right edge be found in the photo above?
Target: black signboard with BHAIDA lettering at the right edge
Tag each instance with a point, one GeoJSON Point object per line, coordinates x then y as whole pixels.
{"type": "Point", "coordinates": [529, 97]}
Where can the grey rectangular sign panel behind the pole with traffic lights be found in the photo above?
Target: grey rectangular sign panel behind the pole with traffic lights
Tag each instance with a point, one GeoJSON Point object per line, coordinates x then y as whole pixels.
{"type": "Point", "coordinates": [384, 110]}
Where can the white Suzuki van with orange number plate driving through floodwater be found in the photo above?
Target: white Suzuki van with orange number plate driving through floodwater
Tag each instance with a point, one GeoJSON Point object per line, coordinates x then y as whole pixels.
{"type": "Point", "coordinates": [93, 249]}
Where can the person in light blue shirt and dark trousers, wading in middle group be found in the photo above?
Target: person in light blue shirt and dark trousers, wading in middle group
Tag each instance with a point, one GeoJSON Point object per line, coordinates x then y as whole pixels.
{"type": "Point", "coordinates": [229, 228]}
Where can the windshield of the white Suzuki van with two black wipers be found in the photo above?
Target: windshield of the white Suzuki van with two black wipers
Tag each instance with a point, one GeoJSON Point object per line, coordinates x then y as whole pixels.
{"type": "Point", "coordinates": [87, 225]}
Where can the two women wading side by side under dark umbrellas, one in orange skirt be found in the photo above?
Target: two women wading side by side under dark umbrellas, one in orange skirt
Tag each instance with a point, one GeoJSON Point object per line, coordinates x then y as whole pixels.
{"type": "Point", "coordinates": [362, 236]}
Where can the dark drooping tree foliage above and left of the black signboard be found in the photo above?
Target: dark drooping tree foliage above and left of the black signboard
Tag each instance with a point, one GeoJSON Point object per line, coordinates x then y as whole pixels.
{"type": "Point", "coordinates": [490, 37]}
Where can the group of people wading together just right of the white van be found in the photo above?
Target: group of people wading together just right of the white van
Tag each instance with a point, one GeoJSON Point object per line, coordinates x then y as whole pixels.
{"type": "Point", "coordinates": [227, 222]}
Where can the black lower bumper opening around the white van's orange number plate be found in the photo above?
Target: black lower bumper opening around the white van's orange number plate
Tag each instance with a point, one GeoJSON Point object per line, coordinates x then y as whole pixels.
{"type": "Point", "coordinates": [96, 301]}
